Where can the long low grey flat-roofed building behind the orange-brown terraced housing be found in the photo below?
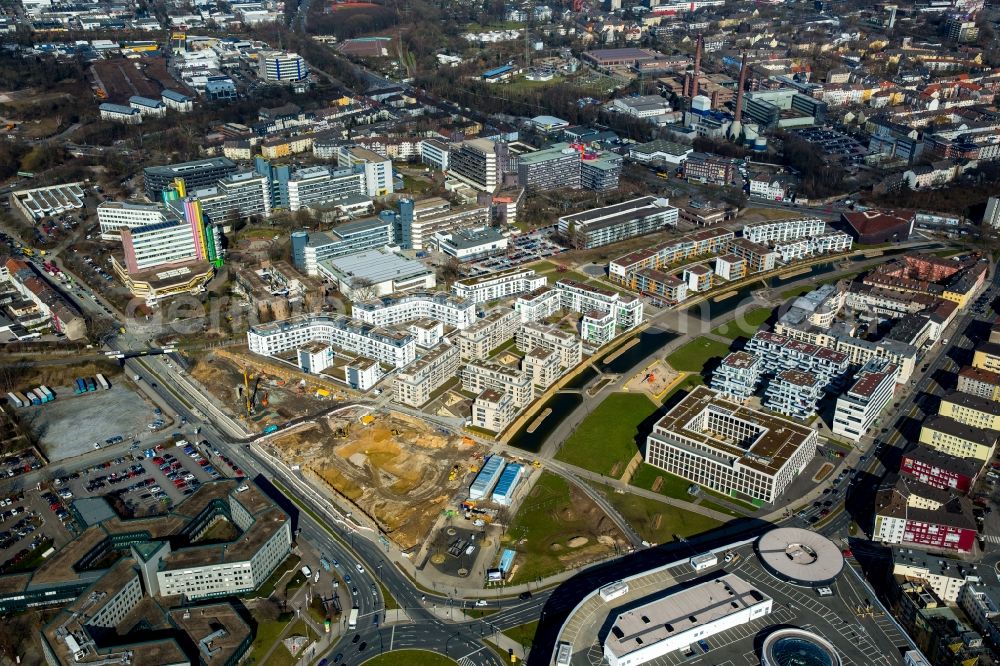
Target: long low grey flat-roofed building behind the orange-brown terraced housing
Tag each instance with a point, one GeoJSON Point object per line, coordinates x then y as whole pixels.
{"type": "Point", "coordinates": [618, 222]}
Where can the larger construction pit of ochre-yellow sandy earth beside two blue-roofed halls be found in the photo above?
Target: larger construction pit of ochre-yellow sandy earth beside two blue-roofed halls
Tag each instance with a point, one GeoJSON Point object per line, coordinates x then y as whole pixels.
{"type": "Point", "coordinates": [400, 472]}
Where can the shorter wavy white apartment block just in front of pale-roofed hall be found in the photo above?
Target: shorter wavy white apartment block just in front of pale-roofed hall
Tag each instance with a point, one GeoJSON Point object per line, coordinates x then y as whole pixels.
{"type": "Point", "coordinates": [393, 309]}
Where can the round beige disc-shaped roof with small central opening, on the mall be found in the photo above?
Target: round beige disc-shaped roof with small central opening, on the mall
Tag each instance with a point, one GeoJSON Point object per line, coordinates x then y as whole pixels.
{"type": "Point", "coordinates": [799, 556]}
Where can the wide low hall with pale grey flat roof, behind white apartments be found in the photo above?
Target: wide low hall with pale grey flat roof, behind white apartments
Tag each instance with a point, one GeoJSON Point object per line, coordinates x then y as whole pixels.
{"type": "Point", "coordinates": [371, 273]}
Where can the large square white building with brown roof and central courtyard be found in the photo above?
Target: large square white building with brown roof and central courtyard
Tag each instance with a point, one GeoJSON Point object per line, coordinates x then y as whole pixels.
{"type": "Point", "coordinates": [730, 448]}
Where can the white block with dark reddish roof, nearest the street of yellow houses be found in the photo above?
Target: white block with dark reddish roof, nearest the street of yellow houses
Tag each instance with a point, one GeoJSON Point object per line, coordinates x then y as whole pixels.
{"type": "Point", "coordinates": [860, 405]}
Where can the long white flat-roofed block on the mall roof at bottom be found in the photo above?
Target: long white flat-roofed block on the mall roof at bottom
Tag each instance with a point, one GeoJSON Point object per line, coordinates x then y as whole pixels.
{"type": "Point", "coordinates": [682, 617]}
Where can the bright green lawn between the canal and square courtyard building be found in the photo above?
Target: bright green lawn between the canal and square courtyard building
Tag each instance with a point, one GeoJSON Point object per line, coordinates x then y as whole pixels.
{"type": "Point", "coordinates": [605, 441]}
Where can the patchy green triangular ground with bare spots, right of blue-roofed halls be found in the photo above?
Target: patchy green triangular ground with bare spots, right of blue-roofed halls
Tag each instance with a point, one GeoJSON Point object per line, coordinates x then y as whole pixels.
{"type": "Point", "coordinates": [557, 528]}
